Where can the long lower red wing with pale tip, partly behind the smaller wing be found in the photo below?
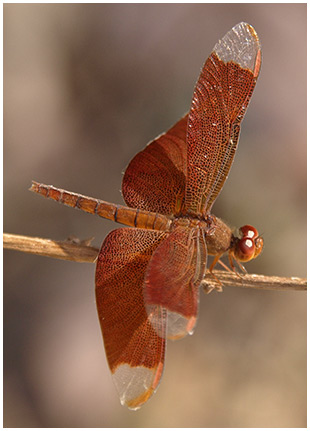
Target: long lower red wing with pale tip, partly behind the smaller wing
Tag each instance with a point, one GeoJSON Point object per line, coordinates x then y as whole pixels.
{"type": "Point", "coordinates": [134, 349]}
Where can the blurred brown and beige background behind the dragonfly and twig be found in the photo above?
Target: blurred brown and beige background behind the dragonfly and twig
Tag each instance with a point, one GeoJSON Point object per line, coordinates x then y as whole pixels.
{"type": "Point", "coordinates": [85, 88]}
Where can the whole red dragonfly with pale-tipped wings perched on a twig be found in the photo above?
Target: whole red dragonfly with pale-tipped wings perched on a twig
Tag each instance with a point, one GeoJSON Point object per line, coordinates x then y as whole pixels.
{"type": "Point", "coordinates": [148, 275]}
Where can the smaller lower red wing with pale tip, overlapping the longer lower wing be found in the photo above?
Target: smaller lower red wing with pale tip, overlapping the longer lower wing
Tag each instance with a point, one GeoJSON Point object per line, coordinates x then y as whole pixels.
{"type": "Point", "coordinates": [173, 278]}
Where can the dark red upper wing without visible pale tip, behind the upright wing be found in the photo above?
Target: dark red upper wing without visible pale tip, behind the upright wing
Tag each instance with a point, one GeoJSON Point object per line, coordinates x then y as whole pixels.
{"type": "Point", "coordinates": [155, 178]}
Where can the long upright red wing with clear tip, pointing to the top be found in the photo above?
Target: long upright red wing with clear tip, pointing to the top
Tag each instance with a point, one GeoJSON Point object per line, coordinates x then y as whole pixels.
{"type": "Point", "coordinates": [220, 99]}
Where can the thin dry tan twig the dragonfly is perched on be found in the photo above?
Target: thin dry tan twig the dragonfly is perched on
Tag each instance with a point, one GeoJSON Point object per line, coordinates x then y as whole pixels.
{"type": "Point", "coordinates": [83, 252]}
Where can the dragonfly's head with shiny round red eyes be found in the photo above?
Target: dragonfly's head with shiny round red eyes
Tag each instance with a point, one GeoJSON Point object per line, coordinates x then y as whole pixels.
{"type": "Point", "coordinates": [249, 245]}
